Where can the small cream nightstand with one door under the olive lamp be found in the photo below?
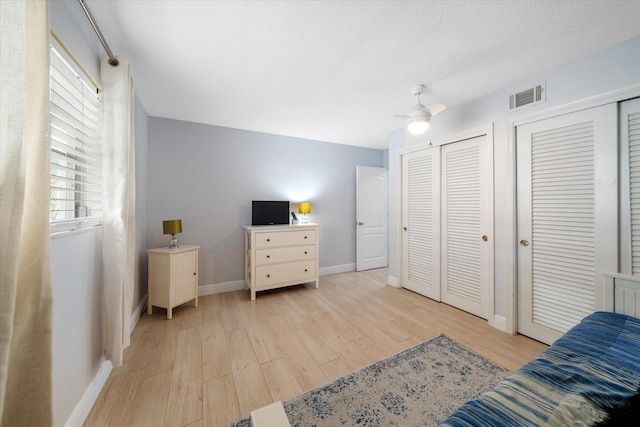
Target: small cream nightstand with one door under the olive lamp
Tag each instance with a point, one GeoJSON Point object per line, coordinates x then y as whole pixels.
{"type": "Point", "coordinates": [173, 277]}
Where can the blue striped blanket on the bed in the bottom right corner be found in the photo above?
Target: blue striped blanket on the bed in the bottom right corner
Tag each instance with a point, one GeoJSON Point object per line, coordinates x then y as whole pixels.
{"type": "Point", "coordinates": [593, 367]}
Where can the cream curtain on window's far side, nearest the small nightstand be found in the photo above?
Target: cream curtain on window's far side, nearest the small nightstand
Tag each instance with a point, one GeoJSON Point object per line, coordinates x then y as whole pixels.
{"type": "Point", "coordinates": [119, 206]}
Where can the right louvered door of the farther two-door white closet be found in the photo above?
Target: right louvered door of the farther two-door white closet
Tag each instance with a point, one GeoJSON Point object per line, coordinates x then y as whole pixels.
{"type": "Point", "coordinates": [466, 217]}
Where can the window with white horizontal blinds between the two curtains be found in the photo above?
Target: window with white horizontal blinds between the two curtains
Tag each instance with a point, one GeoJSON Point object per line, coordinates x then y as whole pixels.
{"type": "Point", "coordinates": [76, 145]}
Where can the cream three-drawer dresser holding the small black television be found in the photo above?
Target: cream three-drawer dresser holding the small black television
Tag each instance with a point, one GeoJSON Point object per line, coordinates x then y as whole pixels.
{"type": "Point", "coordinates": [280, 255]}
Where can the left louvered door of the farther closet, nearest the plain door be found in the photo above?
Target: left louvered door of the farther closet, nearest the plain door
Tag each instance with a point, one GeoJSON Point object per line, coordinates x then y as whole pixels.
{"type": "Point", "coordinates": [421, 222]}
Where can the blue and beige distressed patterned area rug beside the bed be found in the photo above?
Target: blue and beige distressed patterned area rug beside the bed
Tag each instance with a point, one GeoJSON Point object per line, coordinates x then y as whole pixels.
{"type": "Point", "coordinates": [419, 386]}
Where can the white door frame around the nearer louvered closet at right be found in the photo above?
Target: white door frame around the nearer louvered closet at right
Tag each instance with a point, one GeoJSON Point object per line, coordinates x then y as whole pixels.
{"type": "Point", "coordinates": [511, 226]}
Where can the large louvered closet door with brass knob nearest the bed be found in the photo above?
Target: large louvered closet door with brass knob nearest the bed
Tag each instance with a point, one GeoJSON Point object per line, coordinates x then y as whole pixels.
{"type": "Point", "coordinates": [567, 217]}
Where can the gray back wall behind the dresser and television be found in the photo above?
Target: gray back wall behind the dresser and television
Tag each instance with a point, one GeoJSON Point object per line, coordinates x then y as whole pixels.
{"type": "Point", "coordinates": [208, 175]}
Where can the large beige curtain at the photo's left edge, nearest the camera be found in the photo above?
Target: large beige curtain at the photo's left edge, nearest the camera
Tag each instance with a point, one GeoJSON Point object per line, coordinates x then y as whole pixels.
{"type": "Point", "coordinates": [25, 282]}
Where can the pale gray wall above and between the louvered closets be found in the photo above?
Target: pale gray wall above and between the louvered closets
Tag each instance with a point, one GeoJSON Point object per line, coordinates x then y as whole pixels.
{"type": "Point", "coordinates": [613, 69]}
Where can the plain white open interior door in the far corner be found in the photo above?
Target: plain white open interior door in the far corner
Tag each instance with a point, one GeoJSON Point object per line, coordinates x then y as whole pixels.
{"type": "Point", "coordinates": [371, 214]}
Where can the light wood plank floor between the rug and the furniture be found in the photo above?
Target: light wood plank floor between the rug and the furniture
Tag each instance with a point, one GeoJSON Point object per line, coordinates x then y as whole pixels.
{"type": "Point", "coordinates": [215, 363]}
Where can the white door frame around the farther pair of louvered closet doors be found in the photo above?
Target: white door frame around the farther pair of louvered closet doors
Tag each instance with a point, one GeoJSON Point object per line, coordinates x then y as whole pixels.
{"type": "Point", "coordinates": [449, 139]}
